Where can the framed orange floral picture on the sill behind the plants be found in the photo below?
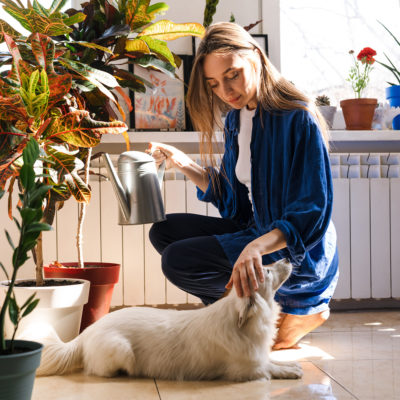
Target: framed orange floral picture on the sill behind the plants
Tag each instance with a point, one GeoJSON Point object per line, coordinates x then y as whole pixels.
{"type": "Point", "coordinates": [163, 107]}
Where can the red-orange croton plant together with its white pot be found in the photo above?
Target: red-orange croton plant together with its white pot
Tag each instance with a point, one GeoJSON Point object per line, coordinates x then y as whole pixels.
{"type": "Point", "coordinates": [38, 99]}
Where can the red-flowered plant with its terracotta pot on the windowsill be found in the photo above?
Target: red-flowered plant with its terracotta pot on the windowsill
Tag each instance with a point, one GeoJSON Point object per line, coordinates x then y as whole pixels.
{"type": "Point", "coordinates": [359, 112]}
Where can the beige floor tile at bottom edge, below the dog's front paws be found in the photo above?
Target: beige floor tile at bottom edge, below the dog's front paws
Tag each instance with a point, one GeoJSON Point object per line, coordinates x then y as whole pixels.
{"type": "Point", "coordinates": [315, 385]}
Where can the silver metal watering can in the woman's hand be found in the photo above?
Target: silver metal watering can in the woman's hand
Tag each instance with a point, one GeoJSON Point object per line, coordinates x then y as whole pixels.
{"type": "Point", "coordinates": [138, 187]}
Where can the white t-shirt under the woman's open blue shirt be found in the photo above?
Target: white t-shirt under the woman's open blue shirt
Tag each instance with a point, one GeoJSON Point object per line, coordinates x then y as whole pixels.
{"type": "Point", "coordinates": [243, 165]}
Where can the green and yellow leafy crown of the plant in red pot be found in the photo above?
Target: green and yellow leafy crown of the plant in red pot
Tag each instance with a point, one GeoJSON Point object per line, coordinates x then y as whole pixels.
{"type": "Point", "coordinates": [102, 37]}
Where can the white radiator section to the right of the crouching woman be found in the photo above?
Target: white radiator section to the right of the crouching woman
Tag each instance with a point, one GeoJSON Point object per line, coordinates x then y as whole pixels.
{"type": "Point", "coordinates": [366, 213]}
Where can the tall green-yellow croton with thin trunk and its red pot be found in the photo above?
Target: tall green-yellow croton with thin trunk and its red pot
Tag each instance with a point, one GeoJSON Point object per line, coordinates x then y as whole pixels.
{"type": "Point", "coordinates": [102, 40]}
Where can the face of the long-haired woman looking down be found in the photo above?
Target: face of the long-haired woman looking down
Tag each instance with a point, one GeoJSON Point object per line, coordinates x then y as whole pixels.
{"type": "Point", "coordinates": [233, 78]}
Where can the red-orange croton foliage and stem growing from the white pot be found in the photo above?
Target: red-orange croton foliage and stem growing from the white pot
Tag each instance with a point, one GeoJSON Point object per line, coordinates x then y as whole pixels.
{"type": "Point", "coordinates": [37, 100]}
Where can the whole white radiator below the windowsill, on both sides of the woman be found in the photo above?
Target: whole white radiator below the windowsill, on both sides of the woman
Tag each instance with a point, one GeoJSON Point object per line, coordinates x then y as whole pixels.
{"type": "Point", "coordinates": [366, 213]}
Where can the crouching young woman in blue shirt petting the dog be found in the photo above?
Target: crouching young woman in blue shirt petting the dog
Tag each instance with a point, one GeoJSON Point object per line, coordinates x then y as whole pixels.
{"type": "Point", "coordinates": [273, 188]}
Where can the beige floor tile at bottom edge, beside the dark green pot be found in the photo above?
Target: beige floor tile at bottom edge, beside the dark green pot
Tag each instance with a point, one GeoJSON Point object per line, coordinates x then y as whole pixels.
{"type": "Point", "coordinates": [79, 386]}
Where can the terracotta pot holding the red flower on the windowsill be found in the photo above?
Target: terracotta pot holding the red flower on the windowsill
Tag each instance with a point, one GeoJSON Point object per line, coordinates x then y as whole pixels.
{"type": "Point", "coordinates": [358, 113]}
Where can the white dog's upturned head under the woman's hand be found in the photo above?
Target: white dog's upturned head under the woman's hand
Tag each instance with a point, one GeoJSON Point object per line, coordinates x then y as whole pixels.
{"type": "Point", "coordinates": [274, 276]}
